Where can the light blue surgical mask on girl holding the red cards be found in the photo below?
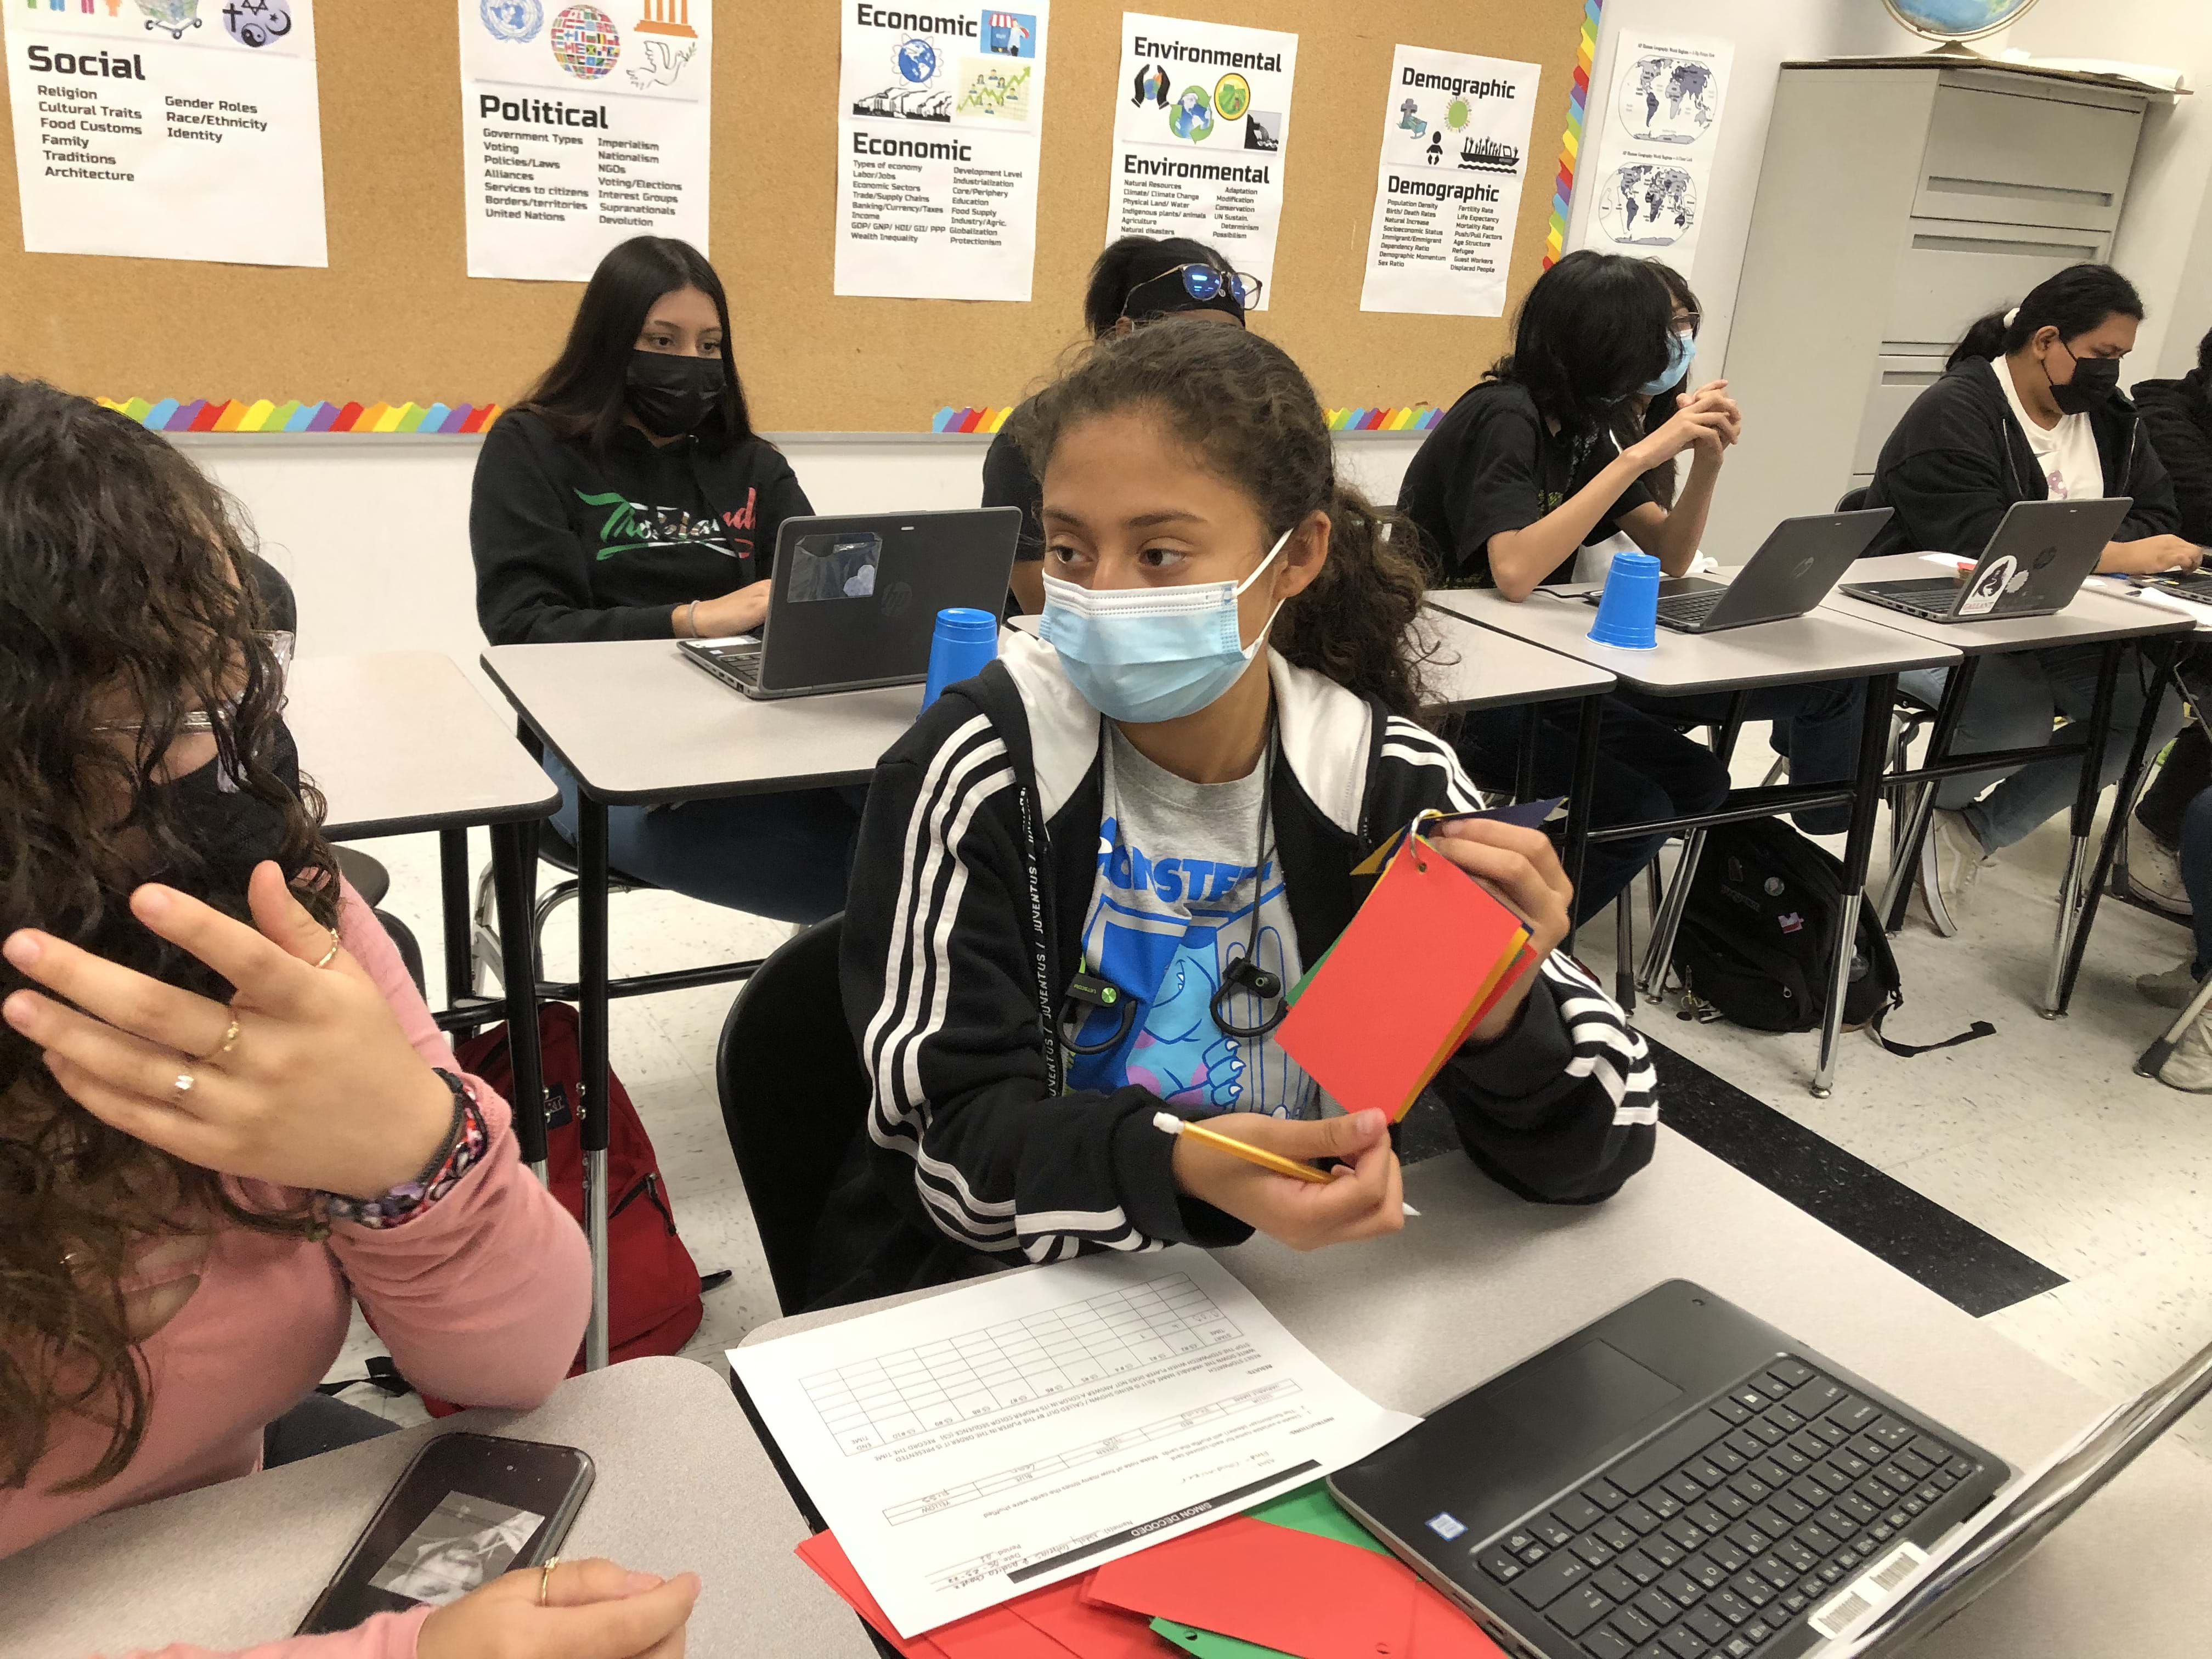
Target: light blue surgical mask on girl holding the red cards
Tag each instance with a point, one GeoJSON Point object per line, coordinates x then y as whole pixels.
{"type": "Point", "coordinates": [1147, 656]}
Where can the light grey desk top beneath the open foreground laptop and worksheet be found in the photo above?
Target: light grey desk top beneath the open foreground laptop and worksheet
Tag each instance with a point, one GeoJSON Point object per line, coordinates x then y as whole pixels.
{"type": "Point", "coordinates": [1483, 1280]}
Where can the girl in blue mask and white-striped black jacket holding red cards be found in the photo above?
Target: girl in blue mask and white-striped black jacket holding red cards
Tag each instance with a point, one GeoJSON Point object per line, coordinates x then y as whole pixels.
{"type": "Point", "coordinates": [1089, 875]}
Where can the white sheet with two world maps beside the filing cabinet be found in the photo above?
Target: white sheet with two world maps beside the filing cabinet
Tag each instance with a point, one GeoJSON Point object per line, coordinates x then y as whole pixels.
{"type": "Point", "coordinates": [1653, 174]}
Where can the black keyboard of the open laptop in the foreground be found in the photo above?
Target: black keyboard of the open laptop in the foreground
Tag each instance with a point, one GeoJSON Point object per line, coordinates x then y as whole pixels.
{"type": "Point", "coordinates": [1731, 1527]}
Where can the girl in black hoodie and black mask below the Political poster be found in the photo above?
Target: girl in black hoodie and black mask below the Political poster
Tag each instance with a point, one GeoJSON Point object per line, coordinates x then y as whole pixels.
{"type": "Point", "coordinates": [629, 499]}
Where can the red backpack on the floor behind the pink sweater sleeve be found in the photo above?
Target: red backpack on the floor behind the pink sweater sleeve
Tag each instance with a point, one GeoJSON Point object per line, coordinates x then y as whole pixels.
{"type": "Point", "coordinates": [651, 1280]}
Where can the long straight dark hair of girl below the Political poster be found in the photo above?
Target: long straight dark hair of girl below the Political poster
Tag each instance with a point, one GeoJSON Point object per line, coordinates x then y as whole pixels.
{"type": "Point", "coordinates": [583, 395]}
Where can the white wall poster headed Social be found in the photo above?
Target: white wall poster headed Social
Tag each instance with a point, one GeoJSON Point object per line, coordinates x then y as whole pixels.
{"type": "Point", "coordinates": [169, 129]}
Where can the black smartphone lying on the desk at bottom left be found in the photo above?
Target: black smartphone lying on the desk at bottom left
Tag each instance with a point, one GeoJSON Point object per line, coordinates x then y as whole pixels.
{"type": "Point", "coordinates": [468, 1510]}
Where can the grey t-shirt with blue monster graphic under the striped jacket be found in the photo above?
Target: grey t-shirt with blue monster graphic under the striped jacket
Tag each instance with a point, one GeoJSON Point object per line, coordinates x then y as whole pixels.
{"type": "Point", "coordinates": [1182, 868]}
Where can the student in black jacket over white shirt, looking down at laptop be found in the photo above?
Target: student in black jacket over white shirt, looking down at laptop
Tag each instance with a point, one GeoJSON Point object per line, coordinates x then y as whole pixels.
{"type": "Point", "coordinates": [2030, 410]}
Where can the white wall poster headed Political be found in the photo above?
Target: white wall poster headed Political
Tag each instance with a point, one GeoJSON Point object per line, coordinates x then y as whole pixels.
{"type": "Point", "coordinates": [581, 127]}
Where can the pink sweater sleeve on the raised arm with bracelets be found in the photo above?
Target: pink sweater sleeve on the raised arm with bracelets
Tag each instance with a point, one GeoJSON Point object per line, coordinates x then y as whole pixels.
{"type": "Point", "coordinates": [483, 1297]}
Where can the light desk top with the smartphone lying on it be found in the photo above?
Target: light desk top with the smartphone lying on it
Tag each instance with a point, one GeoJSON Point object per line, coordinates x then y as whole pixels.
{"type": "Point", "coordinates": [682, 1485]}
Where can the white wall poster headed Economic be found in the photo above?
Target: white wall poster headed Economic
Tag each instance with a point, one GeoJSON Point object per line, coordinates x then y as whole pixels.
{"type": "Point", "coordinates": [939, 121]}
